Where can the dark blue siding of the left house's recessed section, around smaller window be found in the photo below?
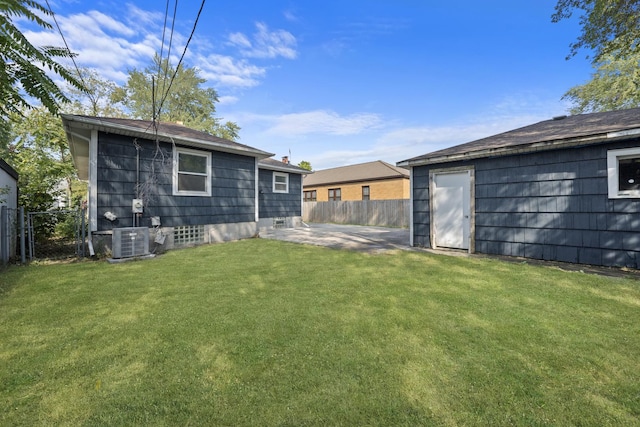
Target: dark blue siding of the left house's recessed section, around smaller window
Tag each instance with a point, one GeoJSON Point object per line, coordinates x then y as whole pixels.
{"type": "Point", "coordinates": [279, 204]}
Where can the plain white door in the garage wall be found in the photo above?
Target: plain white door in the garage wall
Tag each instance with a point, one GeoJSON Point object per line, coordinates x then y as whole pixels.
{"type": "Point", "coordinates": [451, 209]}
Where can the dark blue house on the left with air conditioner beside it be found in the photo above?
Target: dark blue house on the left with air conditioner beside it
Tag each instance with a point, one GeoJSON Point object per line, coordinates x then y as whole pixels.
{"type": "Point", "coordinates": [184, 186]}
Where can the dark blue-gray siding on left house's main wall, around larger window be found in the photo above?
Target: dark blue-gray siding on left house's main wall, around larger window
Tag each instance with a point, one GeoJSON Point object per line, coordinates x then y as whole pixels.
{"type": "Point", "coordinates": [232, 186]}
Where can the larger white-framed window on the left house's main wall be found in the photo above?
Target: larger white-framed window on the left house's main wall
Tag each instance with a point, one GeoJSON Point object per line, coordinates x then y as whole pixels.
{"type": "Point", "coordinates": [191, 173]}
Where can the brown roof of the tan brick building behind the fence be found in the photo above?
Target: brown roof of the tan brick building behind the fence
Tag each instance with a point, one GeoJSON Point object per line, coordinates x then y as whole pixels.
{"type": "Point", "coordinates": [370, 171]}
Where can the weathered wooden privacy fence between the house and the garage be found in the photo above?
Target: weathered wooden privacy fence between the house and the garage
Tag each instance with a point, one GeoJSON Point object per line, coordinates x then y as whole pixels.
{"type": "Point", "coordinates": [383, 213]}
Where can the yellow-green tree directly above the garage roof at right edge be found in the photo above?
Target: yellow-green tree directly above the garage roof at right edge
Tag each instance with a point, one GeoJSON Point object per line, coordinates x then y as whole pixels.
{"type": "Point", "coordinates": [613, 86]}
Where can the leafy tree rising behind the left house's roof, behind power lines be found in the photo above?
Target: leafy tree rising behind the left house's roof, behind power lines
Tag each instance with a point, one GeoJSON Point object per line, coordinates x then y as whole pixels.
{"type": "Point", "coordinates": [181, 98]}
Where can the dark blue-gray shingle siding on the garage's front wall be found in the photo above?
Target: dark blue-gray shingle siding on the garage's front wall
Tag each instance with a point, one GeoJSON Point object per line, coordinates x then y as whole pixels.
{"type": "Point", "coordinates": [551, 205]}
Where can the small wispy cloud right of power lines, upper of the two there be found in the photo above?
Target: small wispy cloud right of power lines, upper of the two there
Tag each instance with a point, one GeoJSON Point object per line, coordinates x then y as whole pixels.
{"type": "Point", "coordinates": [266, 43]}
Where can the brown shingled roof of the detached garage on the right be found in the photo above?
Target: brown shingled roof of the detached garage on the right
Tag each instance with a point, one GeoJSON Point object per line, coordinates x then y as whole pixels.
{"type": "Point", "coordinates": [560, 131]}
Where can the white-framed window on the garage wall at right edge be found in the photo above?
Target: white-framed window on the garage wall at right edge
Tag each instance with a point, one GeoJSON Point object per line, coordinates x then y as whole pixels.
{"type": "Point", "coordinates": [623, 170]}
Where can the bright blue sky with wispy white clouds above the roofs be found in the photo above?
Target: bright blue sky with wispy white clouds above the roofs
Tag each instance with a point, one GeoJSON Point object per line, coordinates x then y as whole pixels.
{"type": "Point", "coordinates": [343, 82]}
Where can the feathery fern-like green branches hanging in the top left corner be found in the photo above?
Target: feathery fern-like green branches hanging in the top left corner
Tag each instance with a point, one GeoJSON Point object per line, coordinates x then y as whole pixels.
{"type": "Point", "coordinates": [22, 69]}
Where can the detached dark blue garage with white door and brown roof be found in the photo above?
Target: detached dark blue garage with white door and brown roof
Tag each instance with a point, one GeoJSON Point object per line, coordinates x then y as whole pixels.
{"type": "Point", "coordinates": [566, 189]}
